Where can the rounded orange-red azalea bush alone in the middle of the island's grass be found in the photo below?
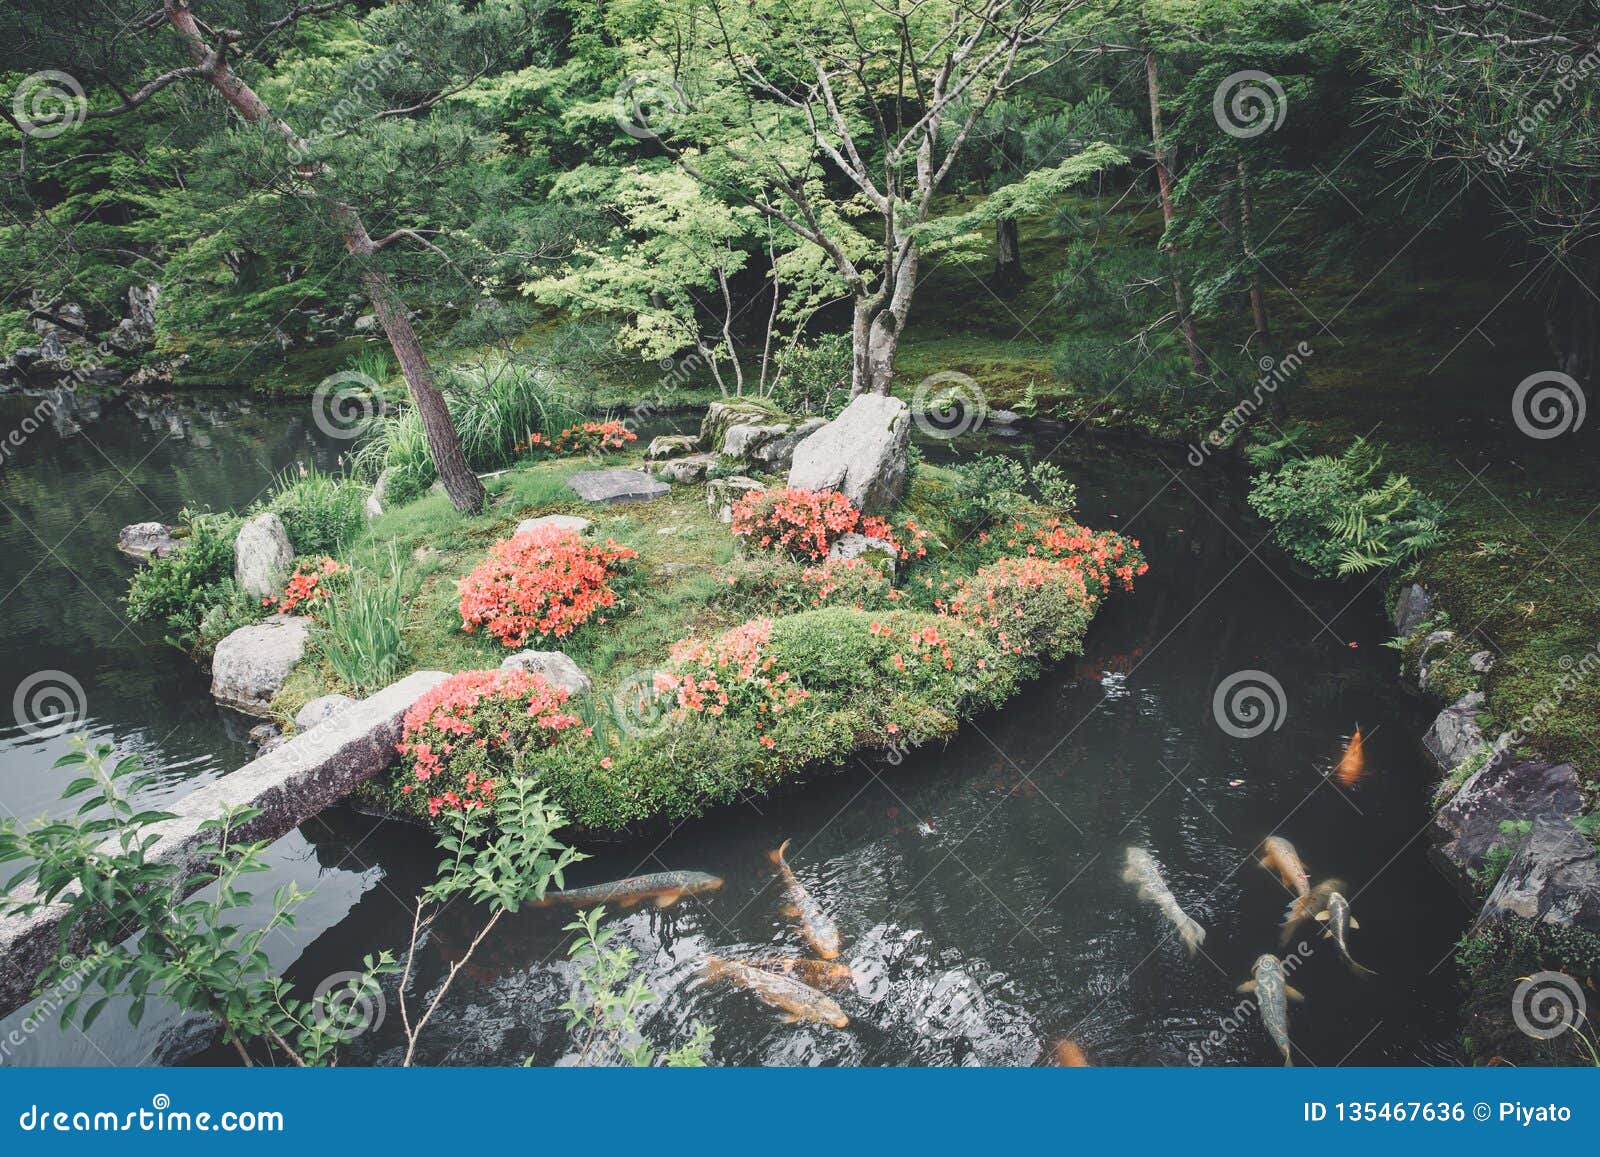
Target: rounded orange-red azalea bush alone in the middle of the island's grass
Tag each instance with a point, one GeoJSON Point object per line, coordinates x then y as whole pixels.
{"type": "Point", "coordinates": [543, 583]}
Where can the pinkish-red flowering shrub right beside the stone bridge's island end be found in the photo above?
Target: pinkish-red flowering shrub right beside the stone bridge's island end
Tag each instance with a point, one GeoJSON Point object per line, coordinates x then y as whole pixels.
{"type": "Point", "coordinates": [474, 729]}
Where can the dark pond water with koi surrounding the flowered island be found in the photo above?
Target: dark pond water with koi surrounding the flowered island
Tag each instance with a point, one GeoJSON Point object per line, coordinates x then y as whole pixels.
{"type": "Point", "coordinates": [978, 887]}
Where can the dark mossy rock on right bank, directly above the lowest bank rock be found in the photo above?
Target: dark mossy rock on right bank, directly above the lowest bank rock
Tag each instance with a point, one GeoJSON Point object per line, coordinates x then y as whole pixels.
{"type": "Point", "coordinates": [1508, 788]}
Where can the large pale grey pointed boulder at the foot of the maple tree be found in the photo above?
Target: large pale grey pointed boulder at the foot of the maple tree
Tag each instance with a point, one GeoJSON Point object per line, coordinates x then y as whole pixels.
{"type": "Point", "coordinates": [863, 454]}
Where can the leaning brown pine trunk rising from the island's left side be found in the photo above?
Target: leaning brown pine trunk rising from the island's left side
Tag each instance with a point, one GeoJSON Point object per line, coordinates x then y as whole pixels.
{"type": "Point", "coordinates": [462, 484]}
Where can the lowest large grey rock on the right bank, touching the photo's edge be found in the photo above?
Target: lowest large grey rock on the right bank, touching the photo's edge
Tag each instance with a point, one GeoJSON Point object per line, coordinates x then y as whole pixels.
{"type": "Point", "coordinates": [1553, 879]}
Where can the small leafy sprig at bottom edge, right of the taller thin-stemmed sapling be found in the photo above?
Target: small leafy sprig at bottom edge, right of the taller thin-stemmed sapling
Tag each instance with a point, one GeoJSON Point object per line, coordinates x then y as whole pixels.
{"type": "Point", "coordinates": [607, 1003]}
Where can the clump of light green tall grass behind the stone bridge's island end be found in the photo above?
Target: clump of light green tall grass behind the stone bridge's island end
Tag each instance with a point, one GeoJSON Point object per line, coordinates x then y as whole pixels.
{"type": "Point", "coordinates": [361, 628]}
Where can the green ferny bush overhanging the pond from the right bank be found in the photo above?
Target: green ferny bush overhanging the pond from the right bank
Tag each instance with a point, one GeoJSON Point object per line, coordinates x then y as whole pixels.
{"type": "Point", "coordinates": [1327, 513]}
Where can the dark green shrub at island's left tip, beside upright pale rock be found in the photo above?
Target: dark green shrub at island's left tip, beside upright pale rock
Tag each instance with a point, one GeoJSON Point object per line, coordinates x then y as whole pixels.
{"type": "Point", "coordinates": [180, 593]}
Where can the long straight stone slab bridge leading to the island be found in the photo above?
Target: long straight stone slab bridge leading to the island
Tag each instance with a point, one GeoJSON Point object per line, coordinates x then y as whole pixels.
{"type": "Point", "coordinates": [290, 785]}
